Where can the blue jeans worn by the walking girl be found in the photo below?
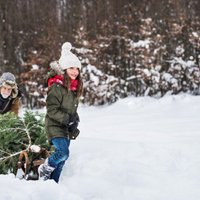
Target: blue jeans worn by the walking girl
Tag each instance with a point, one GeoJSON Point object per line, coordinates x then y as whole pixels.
{"type": "Point", "coordinates": [58, 158]}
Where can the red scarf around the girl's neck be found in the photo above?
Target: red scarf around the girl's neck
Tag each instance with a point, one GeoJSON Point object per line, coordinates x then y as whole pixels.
{"type": "Point", "coordinates": [59, 79]}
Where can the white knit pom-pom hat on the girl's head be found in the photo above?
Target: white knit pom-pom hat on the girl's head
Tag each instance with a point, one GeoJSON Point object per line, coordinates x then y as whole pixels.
{"type": "Point", "coordinates": [68, 59]}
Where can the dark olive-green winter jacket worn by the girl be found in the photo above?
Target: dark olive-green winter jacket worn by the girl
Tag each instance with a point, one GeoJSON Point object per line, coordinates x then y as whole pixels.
{"type": "Point", "coordinates": [60, 104]}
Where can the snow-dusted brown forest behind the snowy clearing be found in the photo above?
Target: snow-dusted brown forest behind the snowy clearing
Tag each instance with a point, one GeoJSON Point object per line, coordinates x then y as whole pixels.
{"type": "Point", "coordinates": [130, 47]}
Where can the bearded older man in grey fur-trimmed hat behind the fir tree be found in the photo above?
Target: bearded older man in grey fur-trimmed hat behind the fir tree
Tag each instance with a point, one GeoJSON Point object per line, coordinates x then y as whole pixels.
{"type": "Point", "coordinates": [9, 94]}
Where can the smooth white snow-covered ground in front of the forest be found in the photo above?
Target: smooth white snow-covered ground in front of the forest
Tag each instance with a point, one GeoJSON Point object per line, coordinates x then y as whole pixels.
{"type": "Point", "coordinates": [138, 148]}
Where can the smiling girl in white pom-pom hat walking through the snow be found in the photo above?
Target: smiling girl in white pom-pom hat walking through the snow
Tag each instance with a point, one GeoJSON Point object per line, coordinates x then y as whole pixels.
{"type": "Point", "coordinates": [61, 121]}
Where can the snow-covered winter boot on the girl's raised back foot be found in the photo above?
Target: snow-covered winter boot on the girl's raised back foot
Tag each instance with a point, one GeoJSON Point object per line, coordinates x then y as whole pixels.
{"type": "Point", "coordinates": [45, 170]}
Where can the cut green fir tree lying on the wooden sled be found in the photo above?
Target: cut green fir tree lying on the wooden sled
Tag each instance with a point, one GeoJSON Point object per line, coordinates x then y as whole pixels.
{"type": "Point", "coordinates": [19, 134]}
